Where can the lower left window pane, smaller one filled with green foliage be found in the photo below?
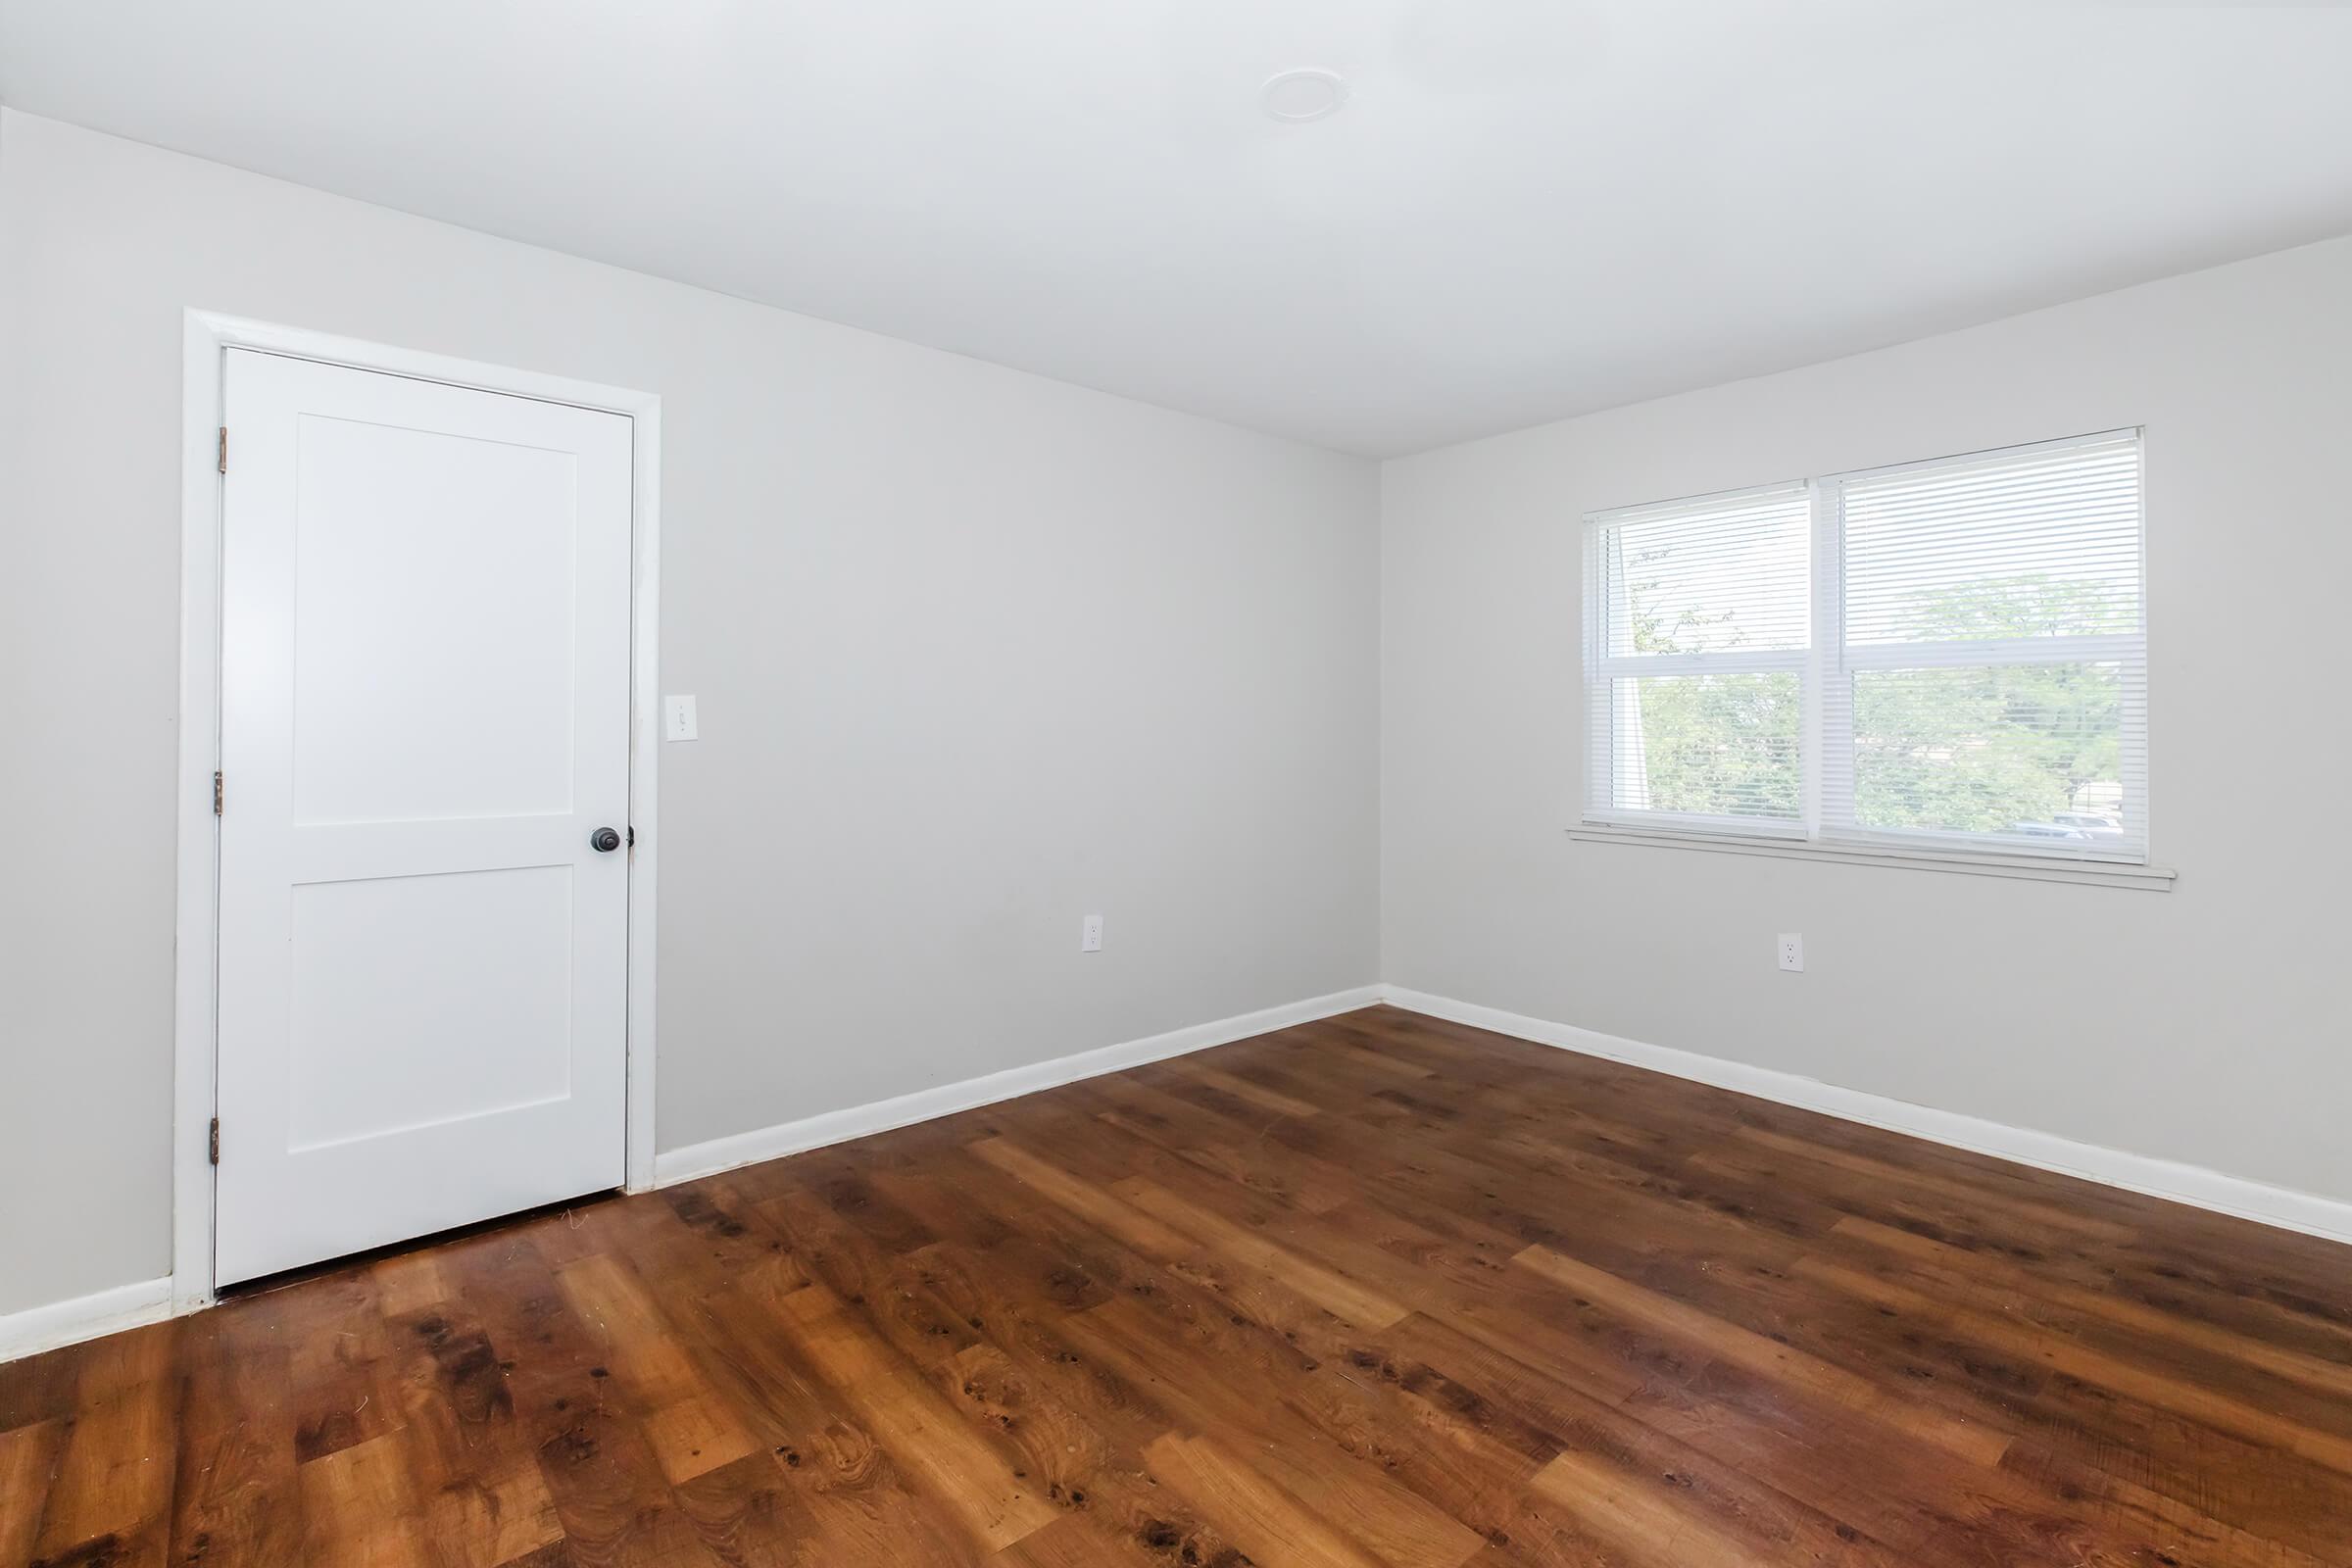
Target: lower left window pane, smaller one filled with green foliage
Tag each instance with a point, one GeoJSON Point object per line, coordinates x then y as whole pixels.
{"type": "Point", "coordinates": [1709, 744]}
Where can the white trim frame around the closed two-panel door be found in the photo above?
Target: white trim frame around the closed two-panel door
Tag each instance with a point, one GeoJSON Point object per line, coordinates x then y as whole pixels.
{"type": "Point", "coordinates": [196, 984]}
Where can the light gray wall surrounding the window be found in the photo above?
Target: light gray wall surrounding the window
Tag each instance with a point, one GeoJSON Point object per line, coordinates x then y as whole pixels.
{"type": "Point", "coordinates": [2207, 1024]}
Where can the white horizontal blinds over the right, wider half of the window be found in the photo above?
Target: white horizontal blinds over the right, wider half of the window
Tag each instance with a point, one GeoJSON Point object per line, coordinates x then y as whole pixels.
{"type": "Point", "coordinates": [1991, 678]}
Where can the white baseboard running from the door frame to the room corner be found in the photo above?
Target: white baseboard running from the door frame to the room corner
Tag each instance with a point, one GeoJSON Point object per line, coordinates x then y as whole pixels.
{"type": "Point", "coordinates": [949, 1099]}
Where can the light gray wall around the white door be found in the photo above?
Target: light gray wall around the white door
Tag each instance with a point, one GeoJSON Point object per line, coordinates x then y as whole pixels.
{"type": "Point", "coordinates": [977, 655]}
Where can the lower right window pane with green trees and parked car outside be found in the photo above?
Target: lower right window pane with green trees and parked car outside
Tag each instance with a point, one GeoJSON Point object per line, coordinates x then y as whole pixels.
{"type": "Point", "coordinates": [2029, 751]}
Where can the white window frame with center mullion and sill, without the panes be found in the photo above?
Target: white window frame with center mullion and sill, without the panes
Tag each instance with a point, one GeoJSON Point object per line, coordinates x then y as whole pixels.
{"type": "Point", "coordinates": [1826, 671]}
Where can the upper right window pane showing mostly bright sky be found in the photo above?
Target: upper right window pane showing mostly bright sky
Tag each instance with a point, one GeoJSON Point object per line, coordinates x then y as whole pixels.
{"type": "Point", "coordinates": [2029, 544]}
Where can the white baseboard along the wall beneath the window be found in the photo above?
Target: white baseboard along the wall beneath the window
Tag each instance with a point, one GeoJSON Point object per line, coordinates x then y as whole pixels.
{"type": "Point", "coordinates": [2165, 1179]}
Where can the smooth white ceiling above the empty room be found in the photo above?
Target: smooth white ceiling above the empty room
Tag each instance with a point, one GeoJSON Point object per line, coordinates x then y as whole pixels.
{"type": "Point", "coordinates": [1528, 208]}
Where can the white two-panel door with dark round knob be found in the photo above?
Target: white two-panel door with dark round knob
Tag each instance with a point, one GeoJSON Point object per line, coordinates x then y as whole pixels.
{"type": "Point", "coordinates": [425, 725]}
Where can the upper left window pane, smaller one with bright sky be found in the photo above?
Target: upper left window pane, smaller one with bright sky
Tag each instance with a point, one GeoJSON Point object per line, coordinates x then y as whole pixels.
{"type": "Point", "coordinates": [1709, 577]}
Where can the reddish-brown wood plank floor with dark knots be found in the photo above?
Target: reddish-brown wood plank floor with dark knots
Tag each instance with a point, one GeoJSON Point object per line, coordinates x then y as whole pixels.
{"type": "Point", "coordinates": [1365, 1292]}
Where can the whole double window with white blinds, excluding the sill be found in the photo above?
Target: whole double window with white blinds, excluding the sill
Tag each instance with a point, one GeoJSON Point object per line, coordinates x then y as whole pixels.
{"type": "Point", "coordinates": [1942, 657]}
